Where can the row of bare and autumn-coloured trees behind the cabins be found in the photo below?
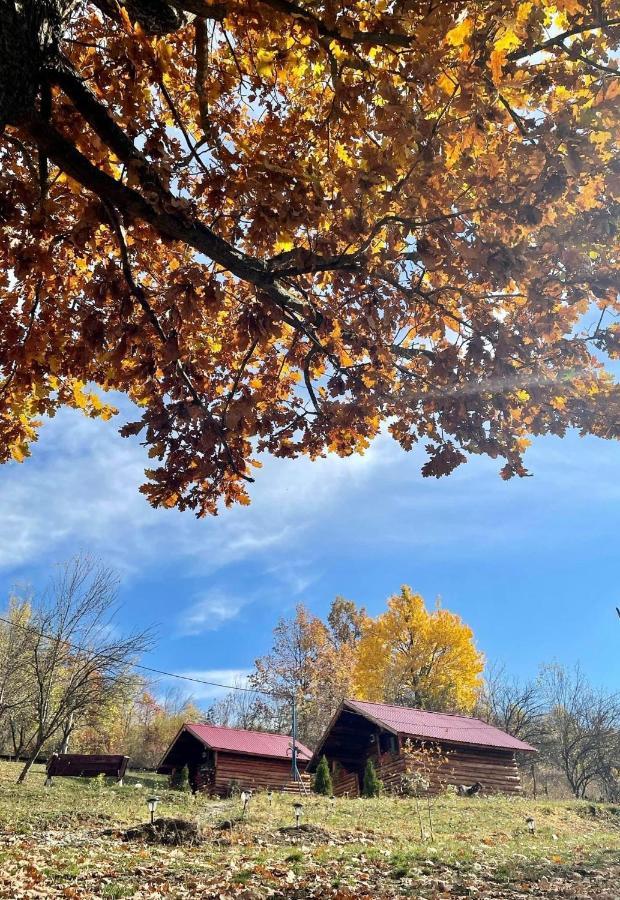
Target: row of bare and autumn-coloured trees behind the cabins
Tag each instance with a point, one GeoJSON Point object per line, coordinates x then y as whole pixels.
{"type": "Point", "coordinates": [69, 682]}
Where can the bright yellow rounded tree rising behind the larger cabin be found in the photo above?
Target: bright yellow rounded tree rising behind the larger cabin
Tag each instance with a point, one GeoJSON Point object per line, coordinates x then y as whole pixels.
{"type": "Point", "coordinates": [419, 657]}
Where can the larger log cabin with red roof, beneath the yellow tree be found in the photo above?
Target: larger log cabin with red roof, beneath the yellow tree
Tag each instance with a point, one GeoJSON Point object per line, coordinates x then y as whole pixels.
{"type": "Point", "coordinates": [445, 749]}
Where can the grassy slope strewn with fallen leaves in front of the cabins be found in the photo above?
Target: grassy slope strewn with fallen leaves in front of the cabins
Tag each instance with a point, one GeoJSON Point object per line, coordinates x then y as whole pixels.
{"type": "Point", "coordinates": [65, 841]}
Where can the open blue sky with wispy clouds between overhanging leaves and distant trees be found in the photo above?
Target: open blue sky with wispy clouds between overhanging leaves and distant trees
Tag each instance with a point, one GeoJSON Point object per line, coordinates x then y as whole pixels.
{"type": "Point", "coordinates": [532, 564]}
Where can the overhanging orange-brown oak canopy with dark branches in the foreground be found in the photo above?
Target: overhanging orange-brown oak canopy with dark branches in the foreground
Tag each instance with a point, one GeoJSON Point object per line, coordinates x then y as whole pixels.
{"type": "Point", "coordinates": [277, 226]}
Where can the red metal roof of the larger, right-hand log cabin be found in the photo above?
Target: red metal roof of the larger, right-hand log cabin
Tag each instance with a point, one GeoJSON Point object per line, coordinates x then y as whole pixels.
{"type": "Point", "coordinates": [421, 723]}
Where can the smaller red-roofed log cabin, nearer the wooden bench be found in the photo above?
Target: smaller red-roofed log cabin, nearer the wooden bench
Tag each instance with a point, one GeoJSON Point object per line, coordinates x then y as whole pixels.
{"type": "Point", "coordinates": [219, 759]}
